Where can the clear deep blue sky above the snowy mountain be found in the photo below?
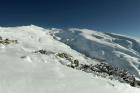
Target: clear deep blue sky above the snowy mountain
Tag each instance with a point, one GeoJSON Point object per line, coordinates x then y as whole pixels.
{"type": "Point", "coordinates": [117, 16]}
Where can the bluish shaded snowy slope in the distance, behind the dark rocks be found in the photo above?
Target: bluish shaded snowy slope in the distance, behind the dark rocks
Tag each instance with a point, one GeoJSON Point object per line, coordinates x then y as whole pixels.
{"type": "Point", "coordinates": [114, 49]}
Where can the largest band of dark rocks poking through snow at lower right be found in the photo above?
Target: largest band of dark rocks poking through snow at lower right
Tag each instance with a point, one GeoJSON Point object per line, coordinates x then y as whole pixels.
{"type": "Point", "coordinates": [120, 74]}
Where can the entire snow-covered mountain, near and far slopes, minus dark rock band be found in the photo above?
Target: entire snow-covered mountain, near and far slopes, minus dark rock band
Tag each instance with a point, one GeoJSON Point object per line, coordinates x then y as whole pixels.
{"type": "Point", "coordinates": [26, 69]}
